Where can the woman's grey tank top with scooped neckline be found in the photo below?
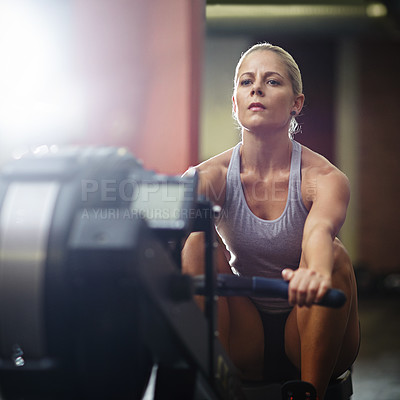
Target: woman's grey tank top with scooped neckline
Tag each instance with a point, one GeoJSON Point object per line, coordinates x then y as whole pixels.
{"type": "Point", "coordinates": [261, 247]}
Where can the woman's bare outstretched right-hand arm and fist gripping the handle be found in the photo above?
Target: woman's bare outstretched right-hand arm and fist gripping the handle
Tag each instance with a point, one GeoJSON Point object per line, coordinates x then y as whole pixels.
{"type": "Point", "coordinates": [328, 211]}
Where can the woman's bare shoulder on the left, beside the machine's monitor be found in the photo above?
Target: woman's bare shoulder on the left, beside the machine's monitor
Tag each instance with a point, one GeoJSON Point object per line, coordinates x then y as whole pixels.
{"type": "Point", "coordinates": [212, 176]}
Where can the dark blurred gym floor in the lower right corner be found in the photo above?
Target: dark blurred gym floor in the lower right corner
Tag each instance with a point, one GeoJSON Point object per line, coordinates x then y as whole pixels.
{"type": "Point", "coordinates": [376, 372]}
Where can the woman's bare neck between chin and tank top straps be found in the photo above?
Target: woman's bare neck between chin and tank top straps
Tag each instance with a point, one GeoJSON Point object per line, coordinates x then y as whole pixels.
{"type": "Point", "coordinates": [265, 154]}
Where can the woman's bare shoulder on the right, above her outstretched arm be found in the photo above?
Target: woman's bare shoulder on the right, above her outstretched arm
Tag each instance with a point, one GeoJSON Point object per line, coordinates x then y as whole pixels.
{"type": "Point", "coordinates": [320, 173]}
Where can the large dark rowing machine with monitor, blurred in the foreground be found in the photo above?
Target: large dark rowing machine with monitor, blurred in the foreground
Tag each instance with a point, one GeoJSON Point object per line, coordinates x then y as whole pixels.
{"type": "Point", "coordinates": [91, 291]}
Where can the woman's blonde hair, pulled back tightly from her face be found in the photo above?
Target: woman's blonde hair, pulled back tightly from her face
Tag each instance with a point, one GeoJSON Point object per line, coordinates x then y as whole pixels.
{"type": "Point", "coordinates": [292, 69]}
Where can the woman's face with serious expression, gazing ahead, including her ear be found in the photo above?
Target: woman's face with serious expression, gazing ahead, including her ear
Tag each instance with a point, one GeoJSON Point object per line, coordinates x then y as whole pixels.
{"type": "Point", "coordinates": [264, 98]}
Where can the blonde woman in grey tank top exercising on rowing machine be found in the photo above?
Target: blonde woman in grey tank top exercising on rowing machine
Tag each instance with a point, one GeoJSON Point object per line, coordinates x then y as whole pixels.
{"type": "Point", "coordinates": [282, 207]}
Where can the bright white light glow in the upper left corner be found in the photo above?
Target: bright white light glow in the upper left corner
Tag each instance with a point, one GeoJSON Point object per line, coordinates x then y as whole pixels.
{"type": "Point", "coordinates": [39, 102]}
